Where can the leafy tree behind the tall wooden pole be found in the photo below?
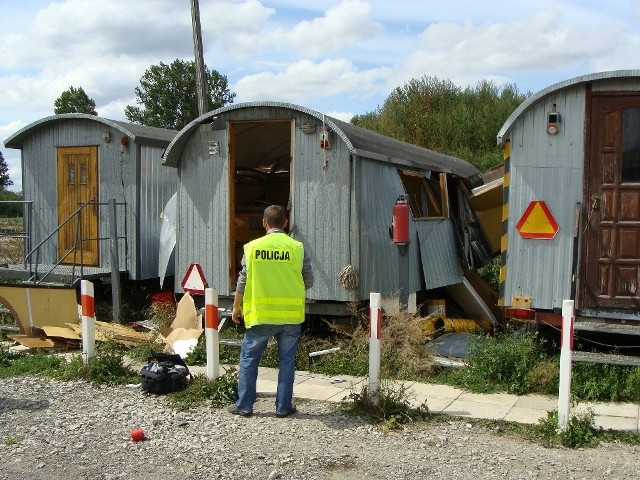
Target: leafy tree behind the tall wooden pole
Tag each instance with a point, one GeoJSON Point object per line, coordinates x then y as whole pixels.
{"type": "Point", "coordinates": [168, 97]}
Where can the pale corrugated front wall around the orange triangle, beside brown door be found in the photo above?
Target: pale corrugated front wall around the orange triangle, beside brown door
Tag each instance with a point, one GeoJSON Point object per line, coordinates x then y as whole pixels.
{"type": "Point", "coordinates": [549, 168]}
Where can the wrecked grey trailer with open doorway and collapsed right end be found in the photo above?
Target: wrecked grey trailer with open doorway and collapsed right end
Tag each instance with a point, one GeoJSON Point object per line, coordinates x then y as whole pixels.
{"type": "Point", "coordinates": [339, 184]}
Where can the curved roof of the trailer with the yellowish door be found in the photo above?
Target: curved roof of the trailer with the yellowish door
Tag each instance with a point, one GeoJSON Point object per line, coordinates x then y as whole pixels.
{"type": "Point", "coordinates": [138, 133]}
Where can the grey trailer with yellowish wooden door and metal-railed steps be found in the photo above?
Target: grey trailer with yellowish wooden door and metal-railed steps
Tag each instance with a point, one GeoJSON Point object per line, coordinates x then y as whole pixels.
{"type": "Point", "coordinates": [72, 166]}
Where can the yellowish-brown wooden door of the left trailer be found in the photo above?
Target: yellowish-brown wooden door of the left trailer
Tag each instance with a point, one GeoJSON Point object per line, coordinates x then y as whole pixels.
{"type": "Point", "coordinates": [78, 184]}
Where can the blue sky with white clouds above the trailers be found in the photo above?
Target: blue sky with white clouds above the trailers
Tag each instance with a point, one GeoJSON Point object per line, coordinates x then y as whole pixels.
{"type": "Point", "coordinates": [339, 57]}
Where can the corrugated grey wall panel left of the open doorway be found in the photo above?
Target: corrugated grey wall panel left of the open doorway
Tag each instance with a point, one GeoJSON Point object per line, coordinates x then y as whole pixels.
{"type": "Point", "coordinates": [203, 210]}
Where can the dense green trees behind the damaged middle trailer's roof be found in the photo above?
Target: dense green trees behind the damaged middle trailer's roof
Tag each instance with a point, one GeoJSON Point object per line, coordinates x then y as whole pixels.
{"type": "Point", "coordinates": [441, 116]}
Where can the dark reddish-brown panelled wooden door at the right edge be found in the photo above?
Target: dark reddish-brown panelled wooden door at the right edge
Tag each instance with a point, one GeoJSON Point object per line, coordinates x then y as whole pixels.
{"type": "Point", "coordinates": [611, 268]}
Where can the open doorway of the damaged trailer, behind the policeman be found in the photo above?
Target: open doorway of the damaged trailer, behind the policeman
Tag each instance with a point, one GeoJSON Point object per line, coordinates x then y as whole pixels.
{"type": "Point", "coordinates": [260, 159]}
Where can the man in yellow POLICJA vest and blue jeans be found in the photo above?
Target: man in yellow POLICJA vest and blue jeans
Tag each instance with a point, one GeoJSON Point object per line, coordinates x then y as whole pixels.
{"type": "Point", "coordinates": [270, 294]}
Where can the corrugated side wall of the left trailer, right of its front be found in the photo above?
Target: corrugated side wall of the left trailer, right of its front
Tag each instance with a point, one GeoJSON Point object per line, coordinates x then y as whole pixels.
{"type": "Point", "coordinates": [157, 185]}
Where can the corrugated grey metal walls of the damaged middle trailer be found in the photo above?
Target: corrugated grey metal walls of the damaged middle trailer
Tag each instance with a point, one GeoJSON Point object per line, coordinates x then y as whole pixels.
{"type": "Point", "coordinates": [342, 211]}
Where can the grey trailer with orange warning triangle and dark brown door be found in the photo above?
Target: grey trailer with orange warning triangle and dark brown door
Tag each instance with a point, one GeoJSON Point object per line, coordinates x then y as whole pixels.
{"type": "Point", "coordinates": [571, 208]}
